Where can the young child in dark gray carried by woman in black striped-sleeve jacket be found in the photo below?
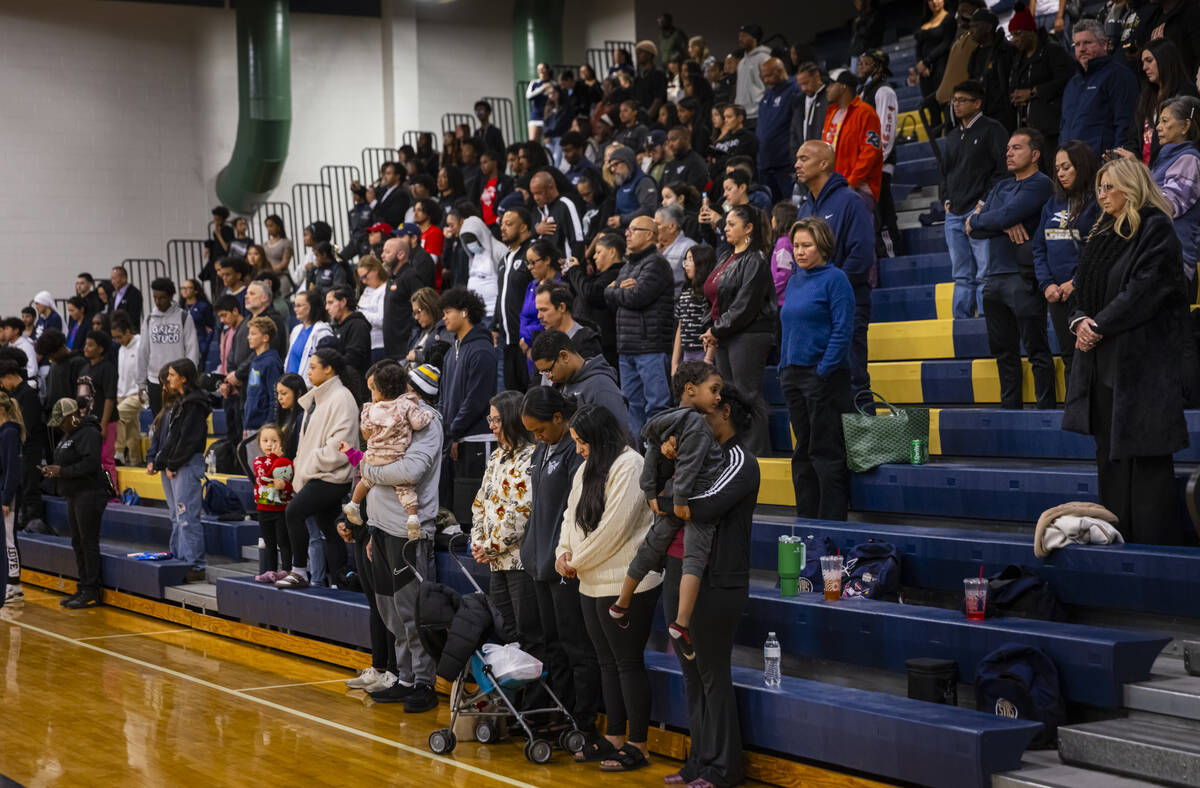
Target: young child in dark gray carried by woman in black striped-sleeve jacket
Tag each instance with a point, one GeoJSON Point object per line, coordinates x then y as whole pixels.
{"type": "Point", "coordinates": [695, 468]}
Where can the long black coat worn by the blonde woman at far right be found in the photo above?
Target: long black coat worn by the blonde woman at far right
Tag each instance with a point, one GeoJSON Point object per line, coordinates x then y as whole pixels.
{"type": "Point", "coordinates": [1148, 339]}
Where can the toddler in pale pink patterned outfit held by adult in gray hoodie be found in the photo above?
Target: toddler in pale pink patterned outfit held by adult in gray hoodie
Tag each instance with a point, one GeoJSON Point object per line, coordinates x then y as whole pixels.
{"type": "Point", "coordinates": [388, 424]}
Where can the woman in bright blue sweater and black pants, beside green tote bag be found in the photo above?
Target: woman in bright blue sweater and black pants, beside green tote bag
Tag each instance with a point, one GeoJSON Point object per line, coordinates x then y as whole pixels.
{"type": "Point", "coordinates": [814, 371]}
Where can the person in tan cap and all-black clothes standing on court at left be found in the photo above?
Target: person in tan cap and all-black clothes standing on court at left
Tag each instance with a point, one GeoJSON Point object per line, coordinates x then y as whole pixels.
{"type": "Point", "coordinates": [85, 484]}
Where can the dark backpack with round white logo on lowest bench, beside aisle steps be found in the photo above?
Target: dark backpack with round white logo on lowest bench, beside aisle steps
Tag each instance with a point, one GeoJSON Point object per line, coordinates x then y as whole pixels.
{"type": "Point", "coordinates": [1022, 683]}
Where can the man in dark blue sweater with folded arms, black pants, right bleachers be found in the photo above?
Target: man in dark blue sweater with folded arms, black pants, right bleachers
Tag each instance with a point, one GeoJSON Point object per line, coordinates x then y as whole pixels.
{"type": "Point", "coordinates": [1013, 304]}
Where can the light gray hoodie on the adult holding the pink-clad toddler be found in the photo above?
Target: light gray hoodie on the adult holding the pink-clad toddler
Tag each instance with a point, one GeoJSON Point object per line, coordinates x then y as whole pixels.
{"type": "Point", "coordinates": [422, 468]}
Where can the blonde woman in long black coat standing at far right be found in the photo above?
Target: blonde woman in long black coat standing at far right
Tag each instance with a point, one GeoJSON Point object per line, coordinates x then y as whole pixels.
{"type": "Point", "coordinates": [1133, 351]}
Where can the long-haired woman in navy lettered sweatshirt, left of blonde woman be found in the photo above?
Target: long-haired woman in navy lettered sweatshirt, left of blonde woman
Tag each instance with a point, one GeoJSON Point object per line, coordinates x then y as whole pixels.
{"type": "Point", "coordinates": [1067, 219]}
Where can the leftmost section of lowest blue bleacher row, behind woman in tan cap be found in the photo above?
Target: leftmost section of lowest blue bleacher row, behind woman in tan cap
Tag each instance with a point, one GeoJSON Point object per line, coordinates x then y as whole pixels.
{"type": "Point", "coordinates": [55, 556]}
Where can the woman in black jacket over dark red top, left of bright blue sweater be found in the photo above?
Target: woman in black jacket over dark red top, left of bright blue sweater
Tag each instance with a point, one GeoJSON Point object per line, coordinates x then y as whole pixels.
{"type": "Point", "coordinates": [746, 314]}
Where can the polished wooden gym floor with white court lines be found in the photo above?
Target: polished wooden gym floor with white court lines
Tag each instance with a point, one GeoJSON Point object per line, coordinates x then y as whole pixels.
{"type": "Point", "coordinates": [107, 697]}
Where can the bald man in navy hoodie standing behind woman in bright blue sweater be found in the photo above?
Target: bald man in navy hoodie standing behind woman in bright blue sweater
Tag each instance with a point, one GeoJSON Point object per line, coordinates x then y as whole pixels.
{"type": "Point", "coordinates": [832, 198]}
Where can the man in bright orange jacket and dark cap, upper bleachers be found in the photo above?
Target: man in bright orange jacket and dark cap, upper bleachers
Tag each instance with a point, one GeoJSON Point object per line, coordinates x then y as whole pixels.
{"type": "Point", "coordinates": [853, 130]}
